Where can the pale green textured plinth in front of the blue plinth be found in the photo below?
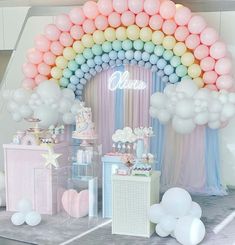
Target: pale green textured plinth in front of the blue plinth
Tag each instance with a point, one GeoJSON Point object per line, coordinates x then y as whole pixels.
{"type": "Point", "coordinates": [131, 199]}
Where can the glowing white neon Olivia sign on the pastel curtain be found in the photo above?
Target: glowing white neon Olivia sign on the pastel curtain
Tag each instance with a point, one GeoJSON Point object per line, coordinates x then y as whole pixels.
{"type": "Point", "coordinates": [120, 80]}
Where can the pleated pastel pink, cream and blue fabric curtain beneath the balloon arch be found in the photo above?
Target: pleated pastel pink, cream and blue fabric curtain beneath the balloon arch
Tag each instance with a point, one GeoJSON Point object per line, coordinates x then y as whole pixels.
{"type": "Point", "coordinates": [188, 161]}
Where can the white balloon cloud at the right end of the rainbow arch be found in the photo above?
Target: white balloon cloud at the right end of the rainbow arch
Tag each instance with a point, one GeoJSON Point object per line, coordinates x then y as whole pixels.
{"type": "Point", "coordinates": [188, 106]}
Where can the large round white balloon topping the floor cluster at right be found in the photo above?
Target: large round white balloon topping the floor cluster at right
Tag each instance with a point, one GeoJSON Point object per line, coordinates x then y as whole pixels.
{"type": "Point", "coordinates": [176, 202]}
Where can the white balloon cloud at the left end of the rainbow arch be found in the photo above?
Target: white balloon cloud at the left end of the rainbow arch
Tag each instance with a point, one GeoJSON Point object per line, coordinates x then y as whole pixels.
{"type": "Point", "coordinates": [47, 103]}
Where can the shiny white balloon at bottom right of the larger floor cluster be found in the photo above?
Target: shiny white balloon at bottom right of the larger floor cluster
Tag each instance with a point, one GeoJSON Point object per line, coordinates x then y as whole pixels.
{"type": "Point", "coordinates": [189, 230]}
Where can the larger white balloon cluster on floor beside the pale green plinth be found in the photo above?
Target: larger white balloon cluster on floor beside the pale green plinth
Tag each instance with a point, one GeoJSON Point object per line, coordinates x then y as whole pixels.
{"type": "Point", "coordinates": [177, 215]}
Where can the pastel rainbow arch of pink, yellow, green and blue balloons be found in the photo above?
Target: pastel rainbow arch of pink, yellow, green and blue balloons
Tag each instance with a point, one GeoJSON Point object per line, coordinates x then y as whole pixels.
{"type": "Point", "coordinates": [158, 35]}
